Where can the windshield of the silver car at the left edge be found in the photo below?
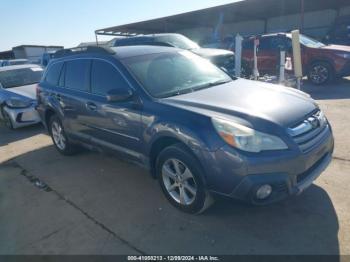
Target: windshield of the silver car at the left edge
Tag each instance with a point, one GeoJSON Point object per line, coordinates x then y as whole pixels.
{"type": "Point", "coordinates": [20, 77]}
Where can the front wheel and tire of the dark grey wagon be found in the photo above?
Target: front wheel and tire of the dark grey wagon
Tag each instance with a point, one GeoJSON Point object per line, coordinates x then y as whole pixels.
{"type": "Point", "coordinates": [179, 175]}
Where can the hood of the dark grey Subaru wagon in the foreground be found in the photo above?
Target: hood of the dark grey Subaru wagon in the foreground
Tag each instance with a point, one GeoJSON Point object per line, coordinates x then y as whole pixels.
{"type": "Point", "coordinates": [245, 99]}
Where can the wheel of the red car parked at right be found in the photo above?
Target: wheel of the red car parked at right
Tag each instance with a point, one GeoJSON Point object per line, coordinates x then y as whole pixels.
{"type": "Point", "coordinates": [321, 73]}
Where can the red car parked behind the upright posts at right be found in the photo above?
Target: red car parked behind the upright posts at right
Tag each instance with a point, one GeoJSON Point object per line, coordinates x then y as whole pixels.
{"type": "Point", "coordinates": [321, 63]}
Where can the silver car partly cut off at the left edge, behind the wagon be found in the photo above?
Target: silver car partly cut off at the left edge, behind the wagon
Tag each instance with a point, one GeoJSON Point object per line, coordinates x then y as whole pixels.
{"type": "Point", "coordinates": [18, 95]}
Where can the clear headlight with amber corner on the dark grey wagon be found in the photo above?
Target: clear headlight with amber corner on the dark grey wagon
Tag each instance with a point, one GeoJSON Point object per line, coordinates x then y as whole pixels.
{"type": "Point", "coordinates": [245, 138]}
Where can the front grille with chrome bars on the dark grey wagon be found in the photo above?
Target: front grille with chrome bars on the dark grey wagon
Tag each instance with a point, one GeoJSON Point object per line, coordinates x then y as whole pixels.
{"type": "Point", "coordinates": [310, 132]}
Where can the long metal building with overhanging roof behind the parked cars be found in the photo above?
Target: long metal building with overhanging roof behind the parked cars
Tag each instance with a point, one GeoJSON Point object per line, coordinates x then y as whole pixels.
{"type": "Point", "coordinates": [248, 17]}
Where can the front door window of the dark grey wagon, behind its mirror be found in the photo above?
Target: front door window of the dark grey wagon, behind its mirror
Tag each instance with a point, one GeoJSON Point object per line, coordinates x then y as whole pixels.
{"type": "Point", "coordinates": [105, 77]}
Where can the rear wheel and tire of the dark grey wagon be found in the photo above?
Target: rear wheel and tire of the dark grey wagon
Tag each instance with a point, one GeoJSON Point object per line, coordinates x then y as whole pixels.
{"type": "Point", "coordinates": [59, 137]}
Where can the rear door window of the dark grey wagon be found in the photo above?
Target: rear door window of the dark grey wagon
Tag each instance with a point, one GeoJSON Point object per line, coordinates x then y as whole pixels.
{"type": "Point", "coordinates": [77, 74]}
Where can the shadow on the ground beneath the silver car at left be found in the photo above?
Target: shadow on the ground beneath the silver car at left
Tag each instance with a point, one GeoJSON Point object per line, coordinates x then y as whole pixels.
{"type": "Point", "coordinates": [8, 136]}
